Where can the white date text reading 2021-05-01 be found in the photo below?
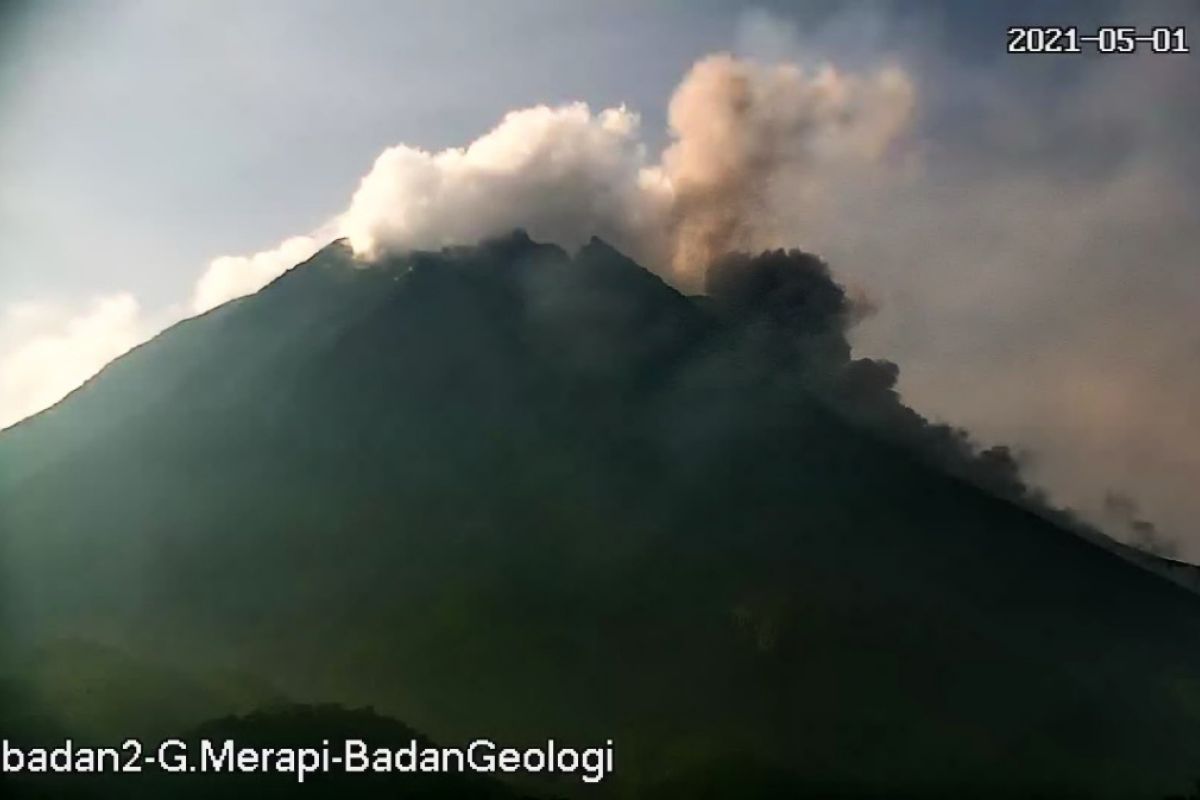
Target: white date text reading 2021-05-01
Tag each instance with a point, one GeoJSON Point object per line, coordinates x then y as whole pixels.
{"type": "Point", "coordinates": [1106, 39]}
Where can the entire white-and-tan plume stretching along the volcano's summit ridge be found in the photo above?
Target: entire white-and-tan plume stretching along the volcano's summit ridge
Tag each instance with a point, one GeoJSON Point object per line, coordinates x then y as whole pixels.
{"type": "Point", "coordinates": [748, 142]}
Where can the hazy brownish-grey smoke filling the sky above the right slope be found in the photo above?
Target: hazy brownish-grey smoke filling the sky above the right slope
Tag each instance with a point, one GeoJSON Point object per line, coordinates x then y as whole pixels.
{"type": "Point", "coordinates": [1033, 256]}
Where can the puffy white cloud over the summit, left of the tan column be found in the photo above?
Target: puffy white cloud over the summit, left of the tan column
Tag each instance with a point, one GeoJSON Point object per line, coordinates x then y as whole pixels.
{"type": "Point", "coordinates": [565, 175]}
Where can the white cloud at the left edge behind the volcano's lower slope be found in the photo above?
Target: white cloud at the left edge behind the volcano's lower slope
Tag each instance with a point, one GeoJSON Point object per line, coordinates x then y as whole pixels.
{"type": "Point", "coordinates": [47, 351]}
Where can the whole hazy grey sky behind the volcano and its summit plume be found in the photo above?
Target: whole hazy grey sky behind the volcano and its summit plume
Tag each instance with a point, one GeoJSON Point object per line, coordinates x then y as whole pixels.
{"type": "Point", "coordinates": [1027, 231]}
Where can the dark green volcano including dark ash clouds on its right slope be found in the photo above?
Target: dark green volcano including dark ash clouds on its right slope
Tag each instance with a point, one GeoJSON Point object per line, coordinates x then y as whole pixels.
{"type": "Point", "coordinates": [505, 492]}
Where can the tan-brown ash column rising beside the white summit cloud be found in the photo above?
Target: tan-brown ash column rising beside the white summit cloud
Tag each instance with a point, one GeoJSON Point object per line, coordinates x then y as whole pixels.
{"type": "Point", "coordinates": [752, 141]}
